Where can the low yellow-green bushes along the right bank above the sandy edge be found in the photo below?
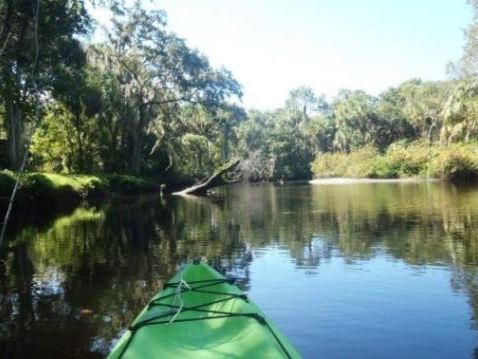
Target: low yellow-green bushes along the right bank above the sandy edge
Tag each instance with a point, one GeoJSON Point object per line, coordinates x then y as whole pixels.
{"type": "Point", "coordinates": [457, 162]}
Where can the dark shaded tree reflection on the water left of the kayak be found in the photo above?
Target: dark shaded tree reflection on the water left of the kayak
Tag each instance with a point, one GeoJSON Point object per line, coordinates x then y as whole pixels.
{"type": "Point", "coordinates": [87, 274]}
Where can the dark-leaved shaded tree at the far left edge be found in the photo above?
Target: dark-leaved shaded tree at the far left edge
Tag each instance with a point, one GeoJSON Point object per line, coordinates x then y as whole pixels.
{"type": "Point", "coordinates": [42, 31]}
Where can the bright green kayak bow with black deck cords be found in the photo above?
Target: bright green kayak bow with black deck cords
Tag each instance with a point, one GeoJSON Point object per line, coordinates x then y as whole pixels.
{"type": "Point", "coordinates": [201, 314]}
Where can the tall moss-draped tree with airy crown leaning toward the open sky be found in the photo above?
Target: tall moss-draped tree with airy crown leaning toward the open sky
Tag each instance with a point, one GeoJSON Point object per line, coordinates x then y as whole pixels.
{"type": "Point", "coordinates": [159, 72]}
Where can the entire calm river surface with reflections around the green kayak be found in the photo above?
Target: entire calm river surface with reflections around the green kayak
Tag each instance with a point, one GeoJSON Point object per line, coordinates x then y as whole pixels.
{"type": "Point", "coordinates": [345, 271]}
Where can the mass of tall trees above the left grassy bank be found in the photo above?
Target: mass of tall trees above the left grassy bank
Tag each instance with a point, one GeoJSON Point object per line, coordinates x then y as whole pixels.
{"type": "Point", "coordinates": [140, 102]}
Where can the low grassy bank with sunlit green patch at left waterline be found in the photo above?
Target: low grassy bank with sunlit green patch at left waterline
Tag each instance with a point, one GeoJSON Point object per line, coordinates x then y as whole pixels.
{"type": "Point", "coordinates": [57, 187]}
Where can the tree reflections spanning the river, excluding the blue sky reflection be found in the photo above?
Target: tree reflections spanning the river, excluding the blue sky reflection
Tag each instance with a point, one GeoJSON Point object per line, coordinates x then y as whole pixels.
{"type": "Point", "coordinates": [83, 275]}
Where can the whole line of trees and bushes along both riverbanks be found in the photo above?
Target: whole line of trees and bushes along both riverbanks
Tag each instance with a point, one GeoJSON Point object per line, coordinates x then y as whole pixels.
{"type": "Point", "coordinates": [144, 103]}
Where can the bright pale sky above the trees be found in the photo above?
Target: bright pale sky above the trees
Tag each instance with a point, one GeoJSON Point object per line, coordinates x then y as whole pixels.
{"type": "Point", "coordinates": [273, 46]}
